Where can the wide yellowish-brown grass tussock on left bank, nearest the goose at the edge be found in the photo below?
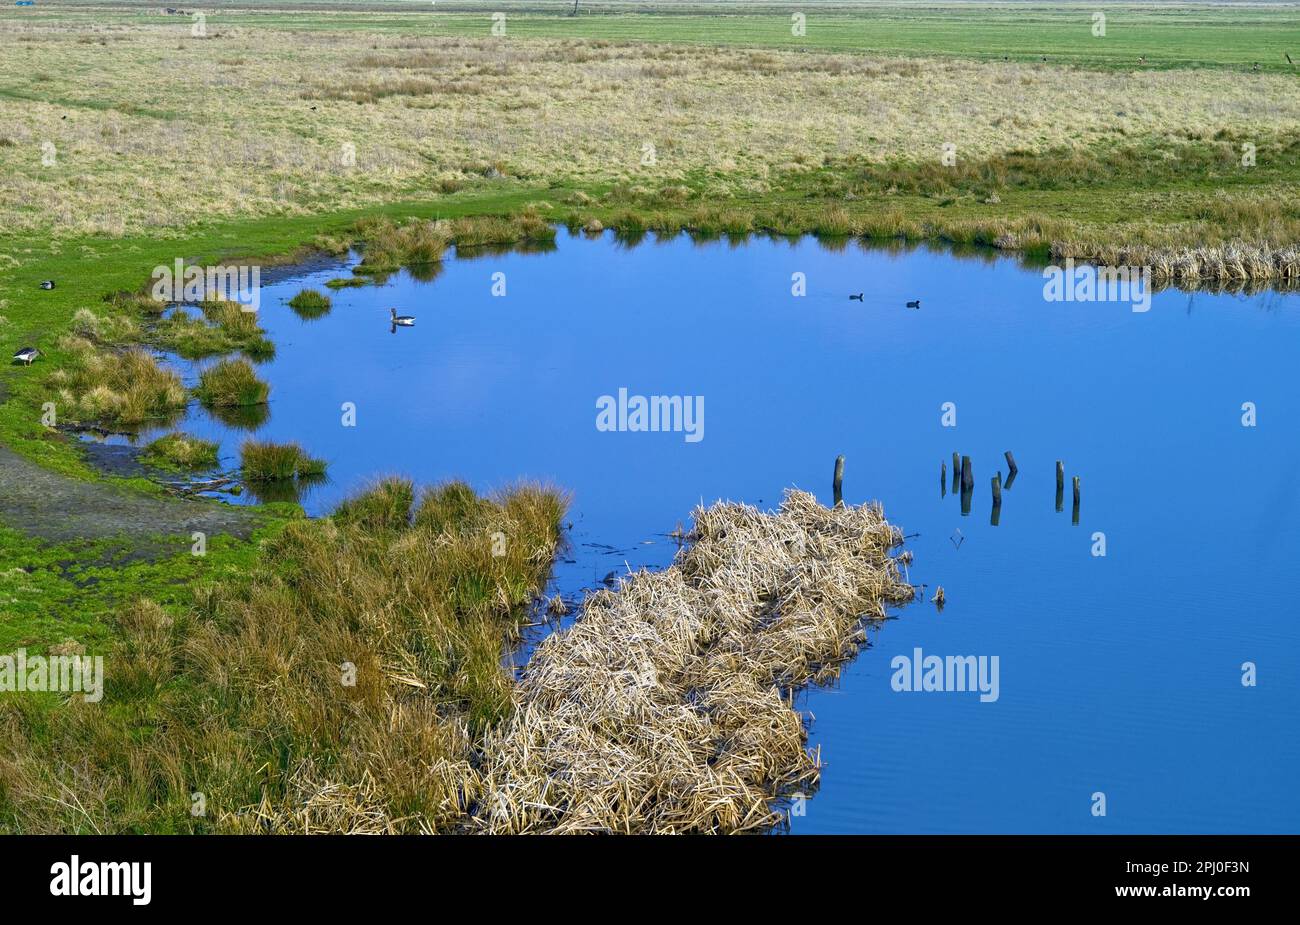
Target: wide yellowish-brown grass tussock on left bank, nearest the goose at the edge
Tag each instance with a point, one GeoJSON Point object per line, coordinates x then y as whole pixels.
{"type": "Point", "coordinates": [118, 388]}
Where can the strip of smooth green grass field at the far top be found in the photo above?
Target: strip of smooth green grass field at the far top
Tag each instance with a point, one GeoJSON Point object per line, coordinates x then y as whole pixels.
{"type": "Point", "coordinates": [1167, 36]}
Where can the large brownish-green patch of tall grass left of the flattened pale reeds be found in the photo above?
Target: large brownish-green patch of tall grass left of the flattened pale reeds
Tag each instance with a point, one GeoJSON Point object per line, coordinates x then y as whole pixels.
{"type": "Point", "coordinates": [249, 696]}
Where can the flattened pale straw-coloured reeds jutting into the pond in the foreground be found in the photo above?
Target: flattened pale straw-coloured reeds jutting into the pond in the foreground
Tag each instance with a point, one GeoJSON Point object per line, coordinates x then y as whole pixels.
{"type": "Point", "coordinates": [666, 707]}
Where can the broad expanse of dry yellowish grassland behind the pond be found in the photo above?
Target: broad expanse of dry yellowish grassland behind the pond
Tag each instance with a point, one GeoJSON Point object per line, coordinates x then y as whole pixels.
{"type": "Point", "coordinates": [155, 131]}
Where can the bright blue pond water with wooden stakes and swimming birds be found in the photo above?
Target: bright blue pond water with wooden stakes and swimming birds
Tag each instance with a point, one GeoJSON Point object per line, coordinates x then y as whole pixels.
{"type": "Point", "coordinates": [1120, 675]}
